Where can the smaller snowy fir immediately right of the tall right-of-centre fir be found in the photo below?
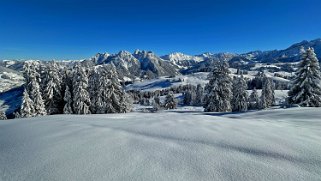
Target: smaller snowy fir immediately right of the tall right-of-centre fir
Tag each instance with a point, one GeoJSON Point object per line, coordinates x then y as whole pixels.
{"type": "Point", "coordinates": [240, 97]}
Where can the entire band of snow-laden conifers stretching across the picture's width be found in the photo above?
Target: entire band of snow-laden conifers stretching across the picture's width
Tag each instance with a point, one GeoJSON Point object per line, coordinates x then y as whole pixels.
{"type": "Point", "coordinates": [52, 88]}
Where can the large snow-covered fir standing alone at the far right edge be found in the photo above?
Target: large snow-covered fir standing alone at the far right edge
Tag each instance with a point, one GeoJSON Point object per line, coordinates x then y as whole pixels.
{"type": "Point", "coordinates": [306, 90]}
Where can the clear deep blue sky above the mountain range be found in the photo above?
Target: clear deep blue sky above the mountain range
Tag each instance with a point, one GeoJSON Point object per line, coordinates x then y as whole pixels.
{"type": "Point", "coordinates": [75, 29]}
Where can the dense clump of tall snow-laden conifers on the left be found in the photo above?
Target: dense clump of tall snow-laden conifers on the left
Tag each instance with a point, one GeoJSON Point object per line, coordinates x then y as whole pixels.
{"type": "Point", "coordinates": [55, 89]}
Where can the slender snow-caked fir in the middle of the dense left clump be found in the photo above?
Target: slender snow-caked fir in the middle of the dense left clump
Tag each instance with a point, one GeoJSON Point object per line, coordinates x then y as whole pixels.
{"type": "Point", "coordinates": [81, 99]}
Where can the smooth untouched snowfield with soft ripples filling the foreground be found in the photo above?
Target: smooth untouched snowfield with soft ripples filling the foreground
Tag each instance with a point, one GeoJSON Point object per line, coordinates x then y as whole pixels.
{"type": "Point", "coordinates": [264, 145]}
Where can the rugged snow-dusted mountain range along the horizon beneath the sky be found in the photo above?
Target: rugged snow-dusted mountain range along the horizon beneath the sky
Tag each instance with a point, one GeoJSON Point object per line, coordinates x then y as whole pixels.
{"type": "Point", "coordinates": [146, 64]}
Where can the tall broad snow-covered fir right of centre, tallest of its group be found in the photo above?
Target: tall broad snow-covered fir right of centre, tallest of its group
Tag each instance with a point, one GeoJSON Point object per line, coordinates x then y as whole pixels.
{"type": "Point", "coordinates": [218, 92]}
